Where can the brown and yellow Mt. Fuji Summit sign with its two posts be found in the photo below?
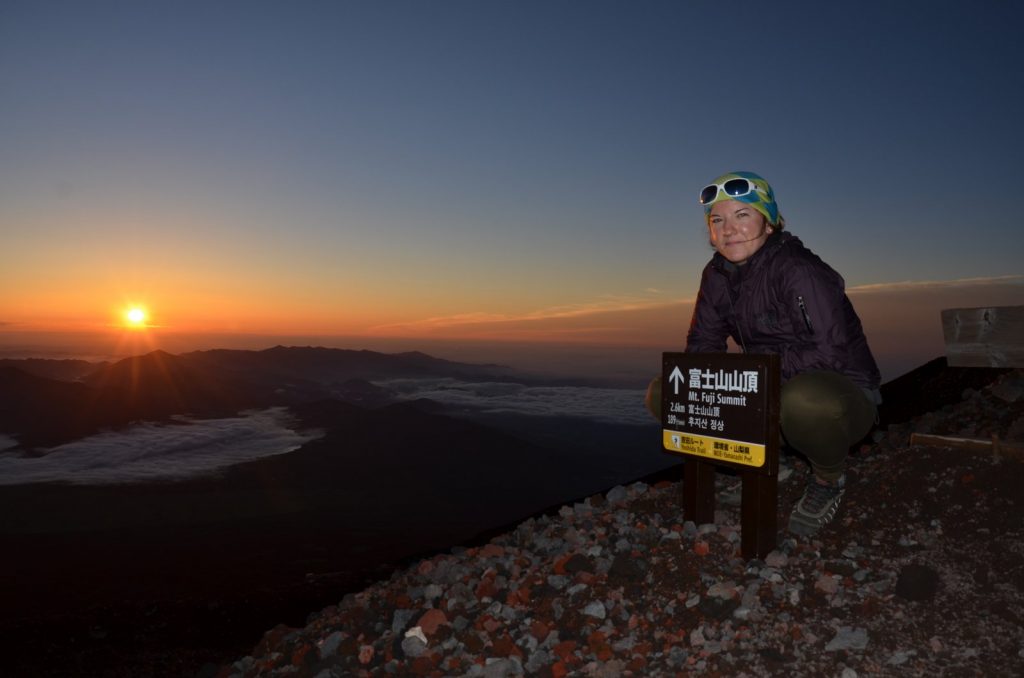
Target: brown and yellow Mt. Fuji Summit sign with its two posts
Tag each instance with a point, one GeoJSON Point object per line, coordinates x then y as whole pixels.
{"type": "Point", "coordinates": [722, 410]}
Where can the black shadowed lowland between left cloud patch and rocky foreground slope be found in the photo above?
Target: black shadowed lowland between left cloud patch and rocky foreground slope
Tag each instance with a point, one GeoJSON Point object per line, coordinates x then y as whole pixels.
{"type": "Point", "coordinates": [168, 573]}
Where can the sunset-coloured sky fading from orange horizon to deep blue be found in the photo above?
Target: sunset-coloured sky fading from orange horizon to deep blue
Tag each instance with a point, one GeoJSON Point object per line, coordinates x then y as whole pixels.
{"type": "Point", "coordinates": [434, 168]}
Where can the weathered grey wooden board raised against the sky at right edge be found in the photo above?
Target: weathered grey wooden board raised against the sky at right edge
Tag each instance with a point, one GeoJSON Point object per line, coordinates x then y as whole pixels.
{"type": "Point", "coordinates": [986, 337]}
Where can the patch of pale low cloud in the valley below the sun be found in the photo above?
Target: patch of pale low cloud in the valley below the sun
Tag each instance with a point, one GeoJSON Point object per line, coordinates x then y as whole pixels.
{"type": "Point", "coordinates": [158, 452]}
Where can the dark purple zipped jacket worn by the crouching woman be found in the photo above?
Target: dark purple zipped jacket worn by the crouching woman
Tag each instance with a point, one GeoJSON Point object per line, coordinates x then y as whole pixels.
{"type": "Point", "coordinates": [784, 301]}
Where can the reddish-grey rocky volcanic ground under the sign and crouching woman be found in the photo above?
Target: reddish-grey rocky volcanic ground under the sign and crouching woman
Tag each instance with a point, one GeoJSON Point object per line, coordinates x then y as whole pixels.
{"type": "Point", "coordinates": [923, 574]}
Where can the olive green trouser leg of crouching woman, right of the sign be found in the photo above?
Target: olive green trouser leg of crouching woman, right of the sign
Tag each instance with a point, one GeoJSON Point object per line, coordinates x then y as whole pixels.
{"type": "Point", "coordinates": [823, 415]}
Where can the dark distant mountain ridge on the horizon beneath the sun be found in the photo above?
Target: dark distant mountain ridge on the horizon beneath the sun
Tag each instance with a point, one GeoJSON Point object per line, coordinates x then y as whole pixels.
{"type": "Point", "coordinates": [41, 412]}
